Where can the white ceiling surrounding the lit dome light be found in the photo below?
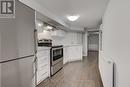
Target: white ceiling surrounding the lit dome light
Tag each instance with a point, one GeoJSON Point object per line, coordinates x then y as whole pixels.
{"type": "Point", "coordinates": [90, 11]}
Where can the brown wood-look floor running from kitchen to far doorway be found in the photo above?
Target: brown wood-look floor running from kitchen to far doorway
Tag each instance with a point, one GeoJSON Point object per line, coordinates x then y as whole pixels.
{"type": "Point", "coordinates": [77, 74]}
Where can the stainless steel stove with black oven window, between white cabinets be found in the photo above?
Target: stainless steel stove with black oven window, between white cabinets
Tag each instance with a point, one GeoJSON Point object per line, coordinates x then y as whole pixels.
{"type": "Point", "coordinates": [56, 59]}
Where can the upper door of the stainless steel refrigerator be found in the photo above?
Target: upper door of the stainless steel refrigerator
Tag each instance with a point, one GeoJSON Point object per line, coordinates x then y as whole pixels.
{"type": "Point", "coordinates": [17, 34]}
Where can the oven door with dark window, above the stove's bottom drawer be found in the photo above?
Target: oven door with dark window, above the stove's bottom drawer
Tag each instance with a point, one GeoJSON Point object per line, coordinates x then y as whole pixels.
{"type": "Point", "coordinates": [57, 55]}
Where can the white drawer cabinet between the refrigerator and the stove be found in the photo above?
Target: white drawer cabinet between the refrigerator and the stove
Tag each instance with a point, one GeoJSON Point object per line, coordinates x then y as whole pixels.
{"type": "Point", "coordinates": [43, 64]}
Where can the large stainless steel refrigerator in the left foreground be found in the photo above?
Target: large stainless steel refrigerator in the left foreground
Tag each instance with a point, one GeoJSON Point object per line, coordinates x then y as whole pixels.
{"type": "Point", "coordinates": [17, 48]}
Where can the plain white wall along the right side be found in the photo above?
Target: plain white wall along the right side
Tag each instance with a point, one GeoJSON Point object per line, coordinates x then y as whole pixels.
{"type": "Point", "coordinates": [116, 39]}
